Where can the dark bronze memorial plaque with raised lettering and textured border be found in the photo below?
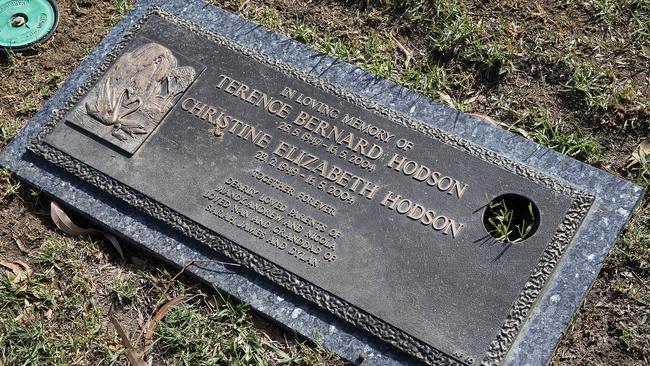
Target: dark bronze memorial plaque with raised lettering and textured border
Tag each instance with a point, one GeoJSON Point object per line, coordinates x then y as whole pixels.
{"type": "Point", "coordinates": [371, 215]}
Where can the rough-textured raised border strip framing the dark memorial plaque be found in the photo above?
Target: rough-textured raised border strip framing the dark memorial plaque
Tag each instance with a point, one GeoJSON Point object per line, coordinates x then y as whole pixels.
{"type": "Point", "coordinates": [581, 202]}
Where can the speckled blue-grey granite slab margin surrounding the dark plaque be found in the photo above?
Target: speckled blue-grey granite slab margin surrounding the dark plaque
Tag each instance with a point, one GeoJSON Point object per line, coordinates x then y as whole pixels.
{"type": "Point", "coordinates": [540, 334]}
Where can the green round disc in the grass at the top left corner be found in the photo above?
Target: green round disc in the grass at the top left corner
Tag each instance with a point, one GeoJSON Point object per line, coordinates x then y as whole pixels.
{"type": "Point", "coordinates": [24, 23]}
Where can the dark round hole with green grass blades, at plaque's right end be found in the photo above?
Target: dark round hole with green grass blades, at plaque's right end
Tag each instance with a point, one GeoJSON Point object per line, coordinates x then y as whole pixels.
{"type": "Point", "coordinates": [511, 218]}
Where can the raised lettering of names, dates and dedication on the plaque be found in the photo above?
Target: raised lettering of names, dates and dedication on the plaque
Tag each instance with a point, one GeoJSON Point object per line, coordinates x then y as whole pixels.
{"type": "Point", "coordinates": [352, 151]}
